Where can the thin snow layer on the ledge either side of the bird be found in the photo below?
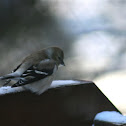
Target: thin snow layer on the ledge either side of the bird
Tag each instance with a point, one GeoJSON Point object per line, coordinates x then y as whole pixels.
{"type": "Point", "coordinates": [56, 83]}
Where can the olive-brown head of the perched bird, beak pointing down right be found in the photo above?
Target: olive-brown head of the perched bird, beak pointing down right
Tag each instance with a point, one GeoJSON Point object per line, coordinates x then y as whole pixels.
{"type": "Point", "coordinates": [56, 54]}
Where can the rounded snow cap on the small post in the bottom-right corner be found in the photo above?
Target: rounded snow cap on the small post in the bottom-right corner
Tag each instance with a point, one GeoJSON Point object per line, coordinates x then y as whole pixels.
{"type": "Point", "coordinates": [111, 117]}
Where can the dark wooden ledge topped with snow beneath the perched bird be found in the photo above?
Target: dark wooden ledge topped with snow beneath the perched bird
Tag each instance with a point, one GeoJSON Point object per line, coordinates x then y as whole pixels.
{"type": "Point", "coordinates": [67, 102]}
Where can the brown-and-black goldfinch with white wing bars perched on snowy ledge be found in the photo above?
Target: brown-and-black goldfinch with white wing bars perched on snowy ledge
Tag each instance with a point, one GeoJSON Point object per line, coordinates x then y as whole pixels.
{"type": "Point", "coordinates": [36, 71]}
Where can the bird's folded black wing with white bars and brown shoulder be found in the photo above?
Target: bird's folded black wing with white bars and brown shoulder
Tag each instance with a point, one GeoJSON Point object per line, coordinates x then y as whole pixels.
{"type": "Point", "coordinates": [36, 72]}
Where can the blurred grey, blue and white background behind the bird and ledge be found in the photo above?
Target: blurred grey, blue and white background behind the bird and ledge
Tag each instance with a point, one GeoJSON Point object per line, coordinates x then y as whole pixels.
{"type": "Point", "coordinates": [91, 33]}
